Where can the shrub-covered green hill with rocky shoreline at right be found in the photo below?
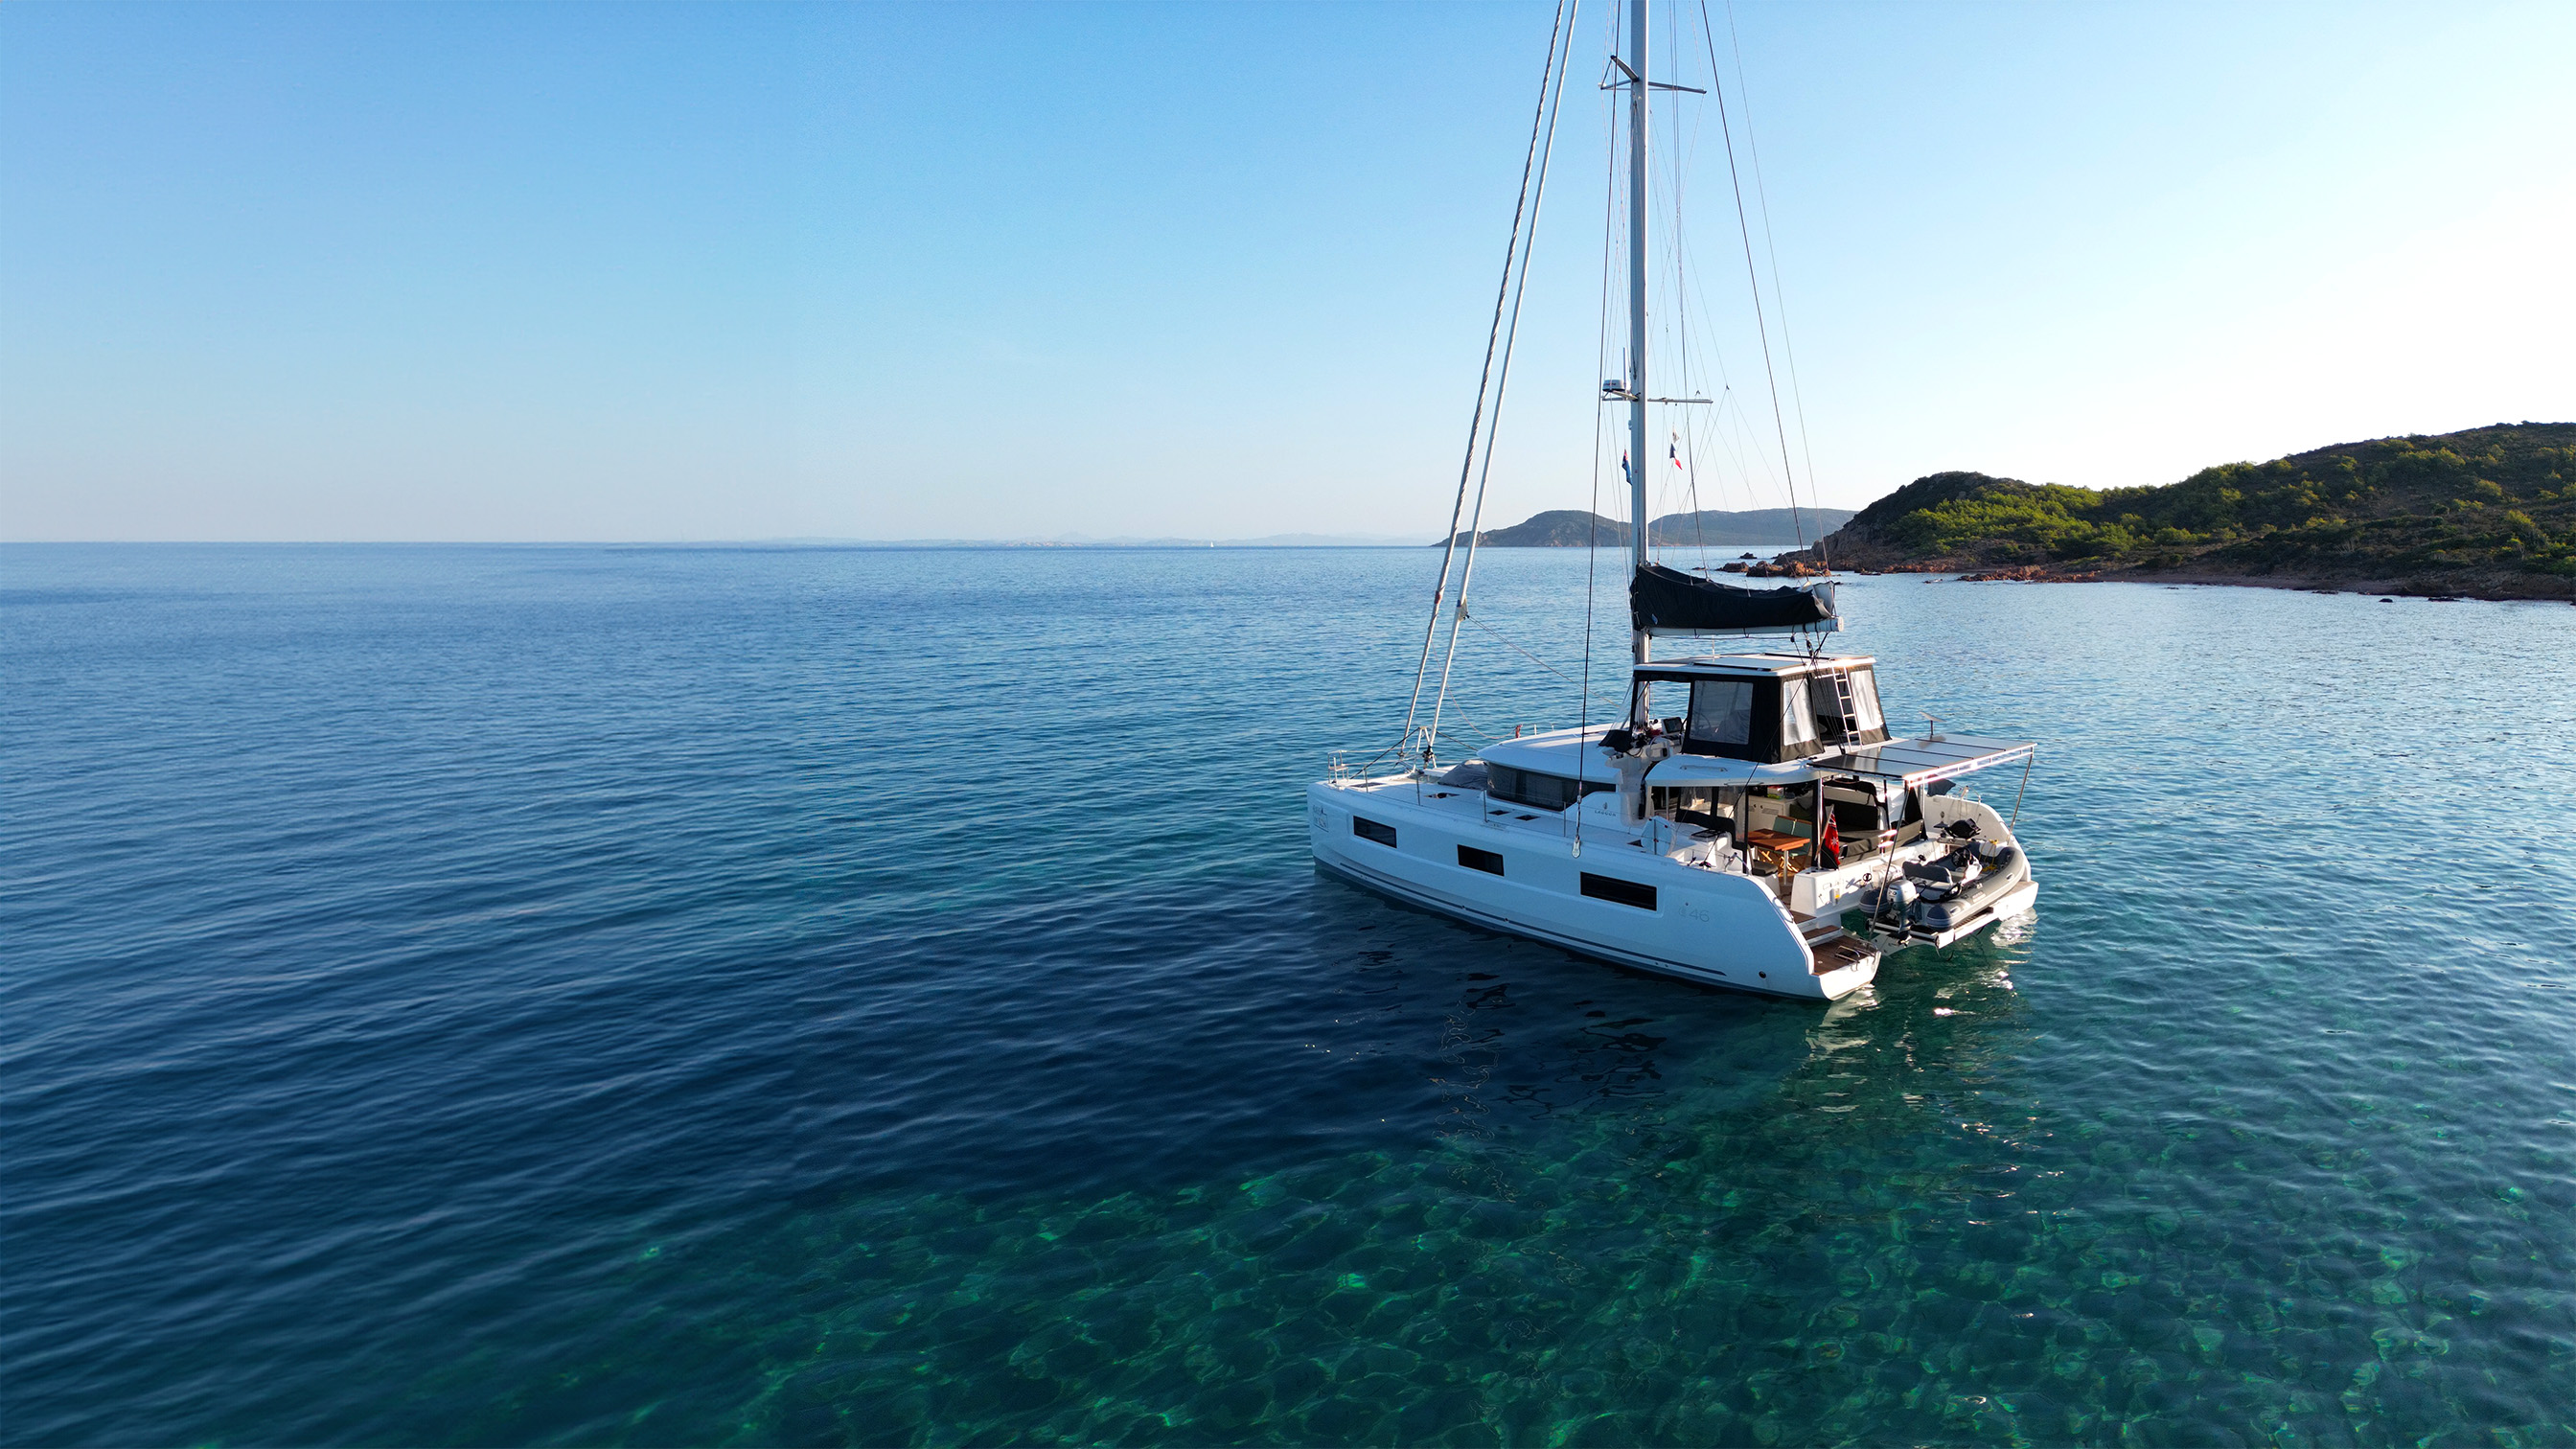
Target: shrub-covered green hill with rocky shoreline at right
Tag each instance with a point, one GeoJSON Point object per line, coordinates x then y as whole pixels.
{"type": "Point", "coordinates": [2490, 512]}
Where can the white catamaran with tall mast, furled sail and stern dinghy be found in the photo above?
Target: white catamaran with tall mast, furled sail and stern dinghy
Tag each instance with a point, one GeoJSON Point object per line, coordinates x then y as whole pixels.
{"type": "Point", "coordinates": [1750, 824]}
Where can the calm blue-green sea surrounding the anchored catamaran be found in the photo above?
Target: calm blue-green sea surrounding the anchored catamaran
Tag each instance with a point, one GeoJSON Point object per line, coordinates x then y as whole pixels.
{"type": "Point", "coordinates": [694, 997]}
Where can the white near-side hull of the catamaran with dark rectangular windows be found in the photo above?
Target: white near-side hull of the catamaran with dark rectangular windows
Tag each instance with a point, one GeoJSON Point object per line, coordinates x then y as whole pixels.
{"type": "Point", "coordinates": [1707, 927]}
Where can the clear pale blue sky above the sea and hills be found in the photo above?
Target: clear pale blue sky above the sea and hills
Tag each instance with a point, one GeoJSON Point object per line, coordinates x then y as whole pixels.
{"type": "Point", "coordinates": [524, 272]}
